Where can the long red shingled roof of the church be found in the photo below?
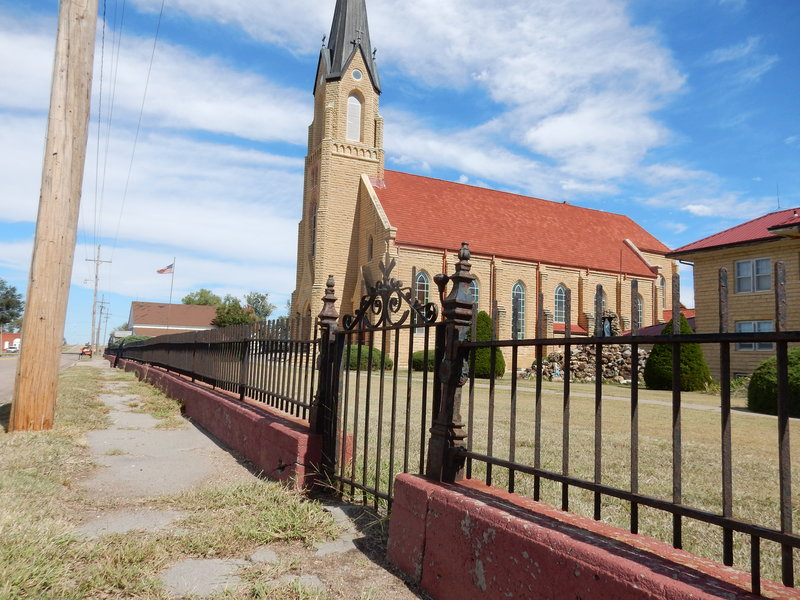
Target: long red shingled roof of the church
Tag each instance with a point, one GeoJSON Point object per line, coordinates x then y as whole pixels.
{"type": "Point", "coordinates": [433, 213]}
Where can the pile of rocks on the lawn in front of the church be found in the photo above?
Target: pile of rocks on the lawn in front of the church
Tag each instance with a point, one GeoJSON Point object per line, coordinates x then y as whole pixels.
{"type": "Point", "coordinates": [615, 360]}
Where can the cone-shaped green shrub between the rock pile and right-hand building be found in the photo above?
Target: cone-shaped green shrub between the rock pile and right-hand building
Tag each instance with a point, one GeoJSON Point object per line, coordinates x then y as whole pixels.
{"type": "Point", "coordinates": [695, 375]}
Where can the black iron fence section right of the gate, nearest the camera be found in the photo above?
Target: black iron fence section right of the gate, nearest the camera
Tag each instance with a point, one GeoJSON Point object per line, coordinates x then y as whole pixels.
{"type": "Point", "coordinates": [531, 448]}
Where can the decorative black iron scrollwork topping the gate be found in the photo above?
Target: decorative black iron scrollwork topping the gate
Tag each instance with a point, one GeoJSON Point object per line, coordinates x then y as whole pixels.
{"type": "Point", "coordinates": [382, 306]}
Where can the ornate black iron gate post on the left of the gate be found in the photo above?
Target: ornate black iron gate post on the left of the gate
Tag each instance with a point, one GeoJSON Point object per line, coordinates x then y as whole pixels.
{"type": "Point", "coordinates": [325, 407]}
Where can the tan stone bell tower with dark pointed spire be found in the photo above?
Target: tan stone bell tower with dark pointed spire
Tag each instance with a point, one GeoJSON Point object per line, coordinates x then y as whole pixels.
{"type": "Point", "coordinates": [345, 141]}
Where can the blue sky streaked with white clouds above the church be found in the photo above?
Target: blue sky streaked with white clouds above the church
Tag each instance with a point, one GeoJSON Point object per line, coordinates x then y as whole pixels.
{"type": "Point", "coordinates": [681, 114]}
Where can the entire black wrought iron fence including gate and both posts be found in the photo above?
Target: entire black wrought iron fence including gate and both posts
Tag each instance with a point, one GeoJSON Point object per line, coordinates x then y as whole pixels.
{"type": "Point", "coordinates": [704, 475]}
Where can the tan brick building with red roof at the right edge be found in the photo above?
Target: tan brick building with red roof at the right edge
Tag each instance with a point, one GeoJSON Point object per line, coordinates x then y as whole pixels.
{"type": "Point", "coordinates": [749, 252]}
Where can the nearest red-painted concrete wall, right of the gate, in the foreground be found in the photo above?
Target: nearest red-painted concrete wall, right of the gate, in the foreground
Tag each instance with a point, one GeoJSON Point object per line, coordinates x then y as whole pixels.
{"type": "Point", "coordinates": [471, 541]}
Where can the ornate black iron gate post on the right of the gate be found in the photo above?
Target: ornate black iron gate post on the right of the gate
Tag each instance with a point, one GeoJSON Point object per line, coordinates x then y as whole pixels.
{"type": "Point", "coordinates": [446, 447]}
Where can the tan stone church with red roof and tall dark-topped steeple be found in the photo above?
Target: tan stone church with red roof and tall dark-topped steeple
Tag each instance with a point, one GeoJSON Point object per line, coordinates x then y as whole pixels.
{"type": "Point", "coordinates": [355, 211]}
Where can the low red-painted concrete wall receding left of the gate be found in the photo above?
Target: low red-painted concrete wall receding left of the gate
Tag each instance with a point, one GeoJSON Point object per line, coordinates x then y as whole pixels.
{"type": "Point", "coordinates": [281, 447]}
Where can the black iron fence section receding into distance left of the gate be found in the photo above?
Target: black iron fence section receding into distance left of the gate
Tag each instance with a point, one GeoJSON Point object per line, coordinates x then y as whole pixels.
{"type": "Point", "coordinates": [267, 362]}
